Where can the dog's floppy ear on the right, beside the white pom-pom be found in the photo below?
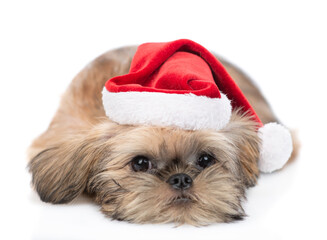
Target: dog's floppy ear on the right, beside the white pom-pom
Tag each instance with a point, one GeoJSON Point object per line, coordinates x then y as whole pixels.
{"type": "Point", "coordinates": [242, 132]}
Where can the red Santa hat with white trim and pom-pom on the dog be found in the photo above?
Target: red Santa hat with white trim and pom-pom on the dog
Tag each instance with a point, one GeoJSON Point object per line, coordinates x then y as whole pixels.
{"type": "Point", "coordinates": [182, 84]}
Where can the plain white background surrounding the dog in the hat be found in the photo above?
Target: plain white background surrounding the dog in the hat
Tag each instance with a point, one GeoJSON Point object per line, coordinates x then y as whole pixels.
{"type": "Point", "coordinates": [280, 44]}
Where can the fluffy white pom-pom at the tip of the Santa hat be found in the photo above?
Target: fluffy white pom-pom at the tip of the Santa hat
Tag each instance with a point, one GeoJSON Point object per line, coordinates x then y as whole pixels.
{"type": "Point", "coordinates": [276, 147]}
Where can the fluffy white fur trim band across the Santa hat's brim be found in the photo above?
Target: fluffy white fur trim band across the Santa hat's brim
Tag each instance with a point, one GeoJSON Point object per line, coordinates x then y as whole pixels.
{"type": "Point", "coordinates": [186, 111]}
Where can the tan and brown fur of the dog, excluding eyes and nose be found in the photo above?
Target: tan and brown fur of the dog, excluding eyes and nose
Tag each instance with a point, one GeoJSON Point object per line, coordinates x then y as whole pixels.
{"type": "Point", "coordinates": [83, 151]}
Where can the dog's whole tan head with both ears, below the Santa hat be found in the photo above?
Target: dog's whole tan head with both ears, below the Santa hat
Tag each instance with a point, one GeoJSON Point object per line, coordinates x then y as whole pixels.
{"type": "Point", "coordinates": [151, 174]}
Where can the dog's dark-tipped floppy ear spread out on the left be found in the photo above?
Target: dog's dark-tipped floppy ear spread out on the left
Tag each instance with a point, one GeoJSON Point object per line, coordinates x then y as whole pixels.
{"type": "Point", "coordinates": [60, 172]}
